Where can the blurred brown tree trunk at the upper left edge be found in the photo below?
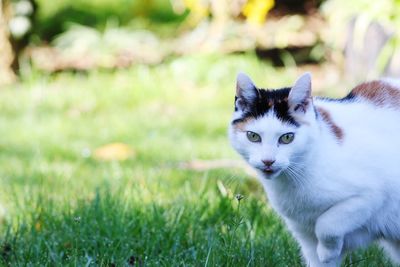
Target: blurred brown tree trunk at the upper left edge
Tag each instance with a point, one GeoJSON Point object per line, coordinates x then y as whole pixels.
{"type": "Point", "coordinates": [7, 74]}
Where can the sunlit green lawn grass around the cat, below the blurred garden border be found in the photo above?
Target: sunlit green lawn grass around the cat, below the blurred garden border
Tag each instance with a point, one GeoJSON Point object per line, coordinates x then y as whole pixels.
{"type": "Point", "coordinates": [62, 207]}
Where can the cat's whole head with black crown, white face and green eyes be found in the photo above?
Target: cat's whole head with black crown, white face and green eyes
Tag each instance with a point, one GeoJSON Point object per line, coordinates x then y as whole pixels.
{"type": "Point", "coordinates": [273, 129]}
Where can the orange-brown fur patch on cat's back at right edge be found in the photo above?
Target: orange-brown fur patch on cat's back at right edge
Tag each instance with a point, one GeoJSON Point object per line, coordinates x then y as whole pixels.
{"type": "Point", "coordinates": [378, 92]}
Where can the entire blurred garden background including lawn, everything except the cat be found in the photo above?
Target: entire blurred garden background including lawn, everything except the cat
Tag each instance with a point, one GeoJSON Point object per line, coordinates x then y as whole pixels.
{"type": "Point", "coordinates": [114, 114]}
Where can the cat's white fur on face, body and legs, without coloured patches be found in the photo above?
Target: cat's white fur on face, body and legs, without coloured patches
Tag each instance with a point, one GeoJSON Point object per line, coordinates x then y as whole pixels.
{"type": "Point", "coordinates": [334, 196]}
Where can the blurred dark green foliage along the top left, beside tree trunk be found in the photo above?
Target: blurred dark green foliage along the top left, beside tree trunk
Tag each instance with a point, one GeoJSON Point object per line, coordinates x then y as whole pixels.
{"type": "Point", "coordinates": [55, 17]}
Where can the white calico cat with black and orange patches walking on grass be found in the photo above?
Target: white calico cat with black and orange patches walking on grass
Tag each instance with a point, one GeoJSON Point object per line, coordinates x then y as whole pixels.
{"type": "Point", "coordinates": [330, 167]}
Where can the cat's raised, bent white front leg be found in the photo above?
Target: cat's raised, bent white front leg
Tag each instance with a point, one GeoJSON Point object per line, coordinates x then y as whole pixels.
{"type": "Point", "coordinates": [339, 220]}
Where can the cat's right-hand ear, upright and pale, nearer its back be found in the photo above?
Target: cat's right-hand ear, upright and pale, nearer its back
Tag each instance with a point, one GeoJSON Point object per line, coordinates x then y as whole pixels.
{"type": "Point", "coordinates": [300, 94]}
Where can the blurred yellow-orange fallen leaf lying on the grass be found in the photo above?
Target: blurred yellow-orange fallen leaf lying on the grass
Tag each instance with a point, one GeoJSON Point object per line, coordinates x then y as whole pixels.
{"type": "Point", "coordinates": [113, 151]}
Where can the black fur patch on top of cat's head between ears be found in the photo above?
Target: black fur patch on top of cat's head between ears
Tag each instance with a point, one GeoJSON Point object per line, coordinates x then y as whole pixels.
{"type": "Point", "coordinates": [267, 100]}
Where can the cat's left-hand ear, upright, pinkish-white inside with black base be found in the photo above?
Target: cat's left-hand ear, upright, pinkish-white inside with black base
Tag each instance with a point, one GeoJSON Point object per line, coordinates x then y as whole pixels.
{"type": "Point", "coordinates": [246, 92]}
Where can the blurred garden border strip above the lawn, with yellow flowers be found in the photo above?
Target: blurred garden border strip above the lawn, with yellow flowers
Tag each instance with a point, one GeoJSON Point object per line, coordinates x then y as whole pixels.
{"type": "Point", "coordinates": [351, 39]}
